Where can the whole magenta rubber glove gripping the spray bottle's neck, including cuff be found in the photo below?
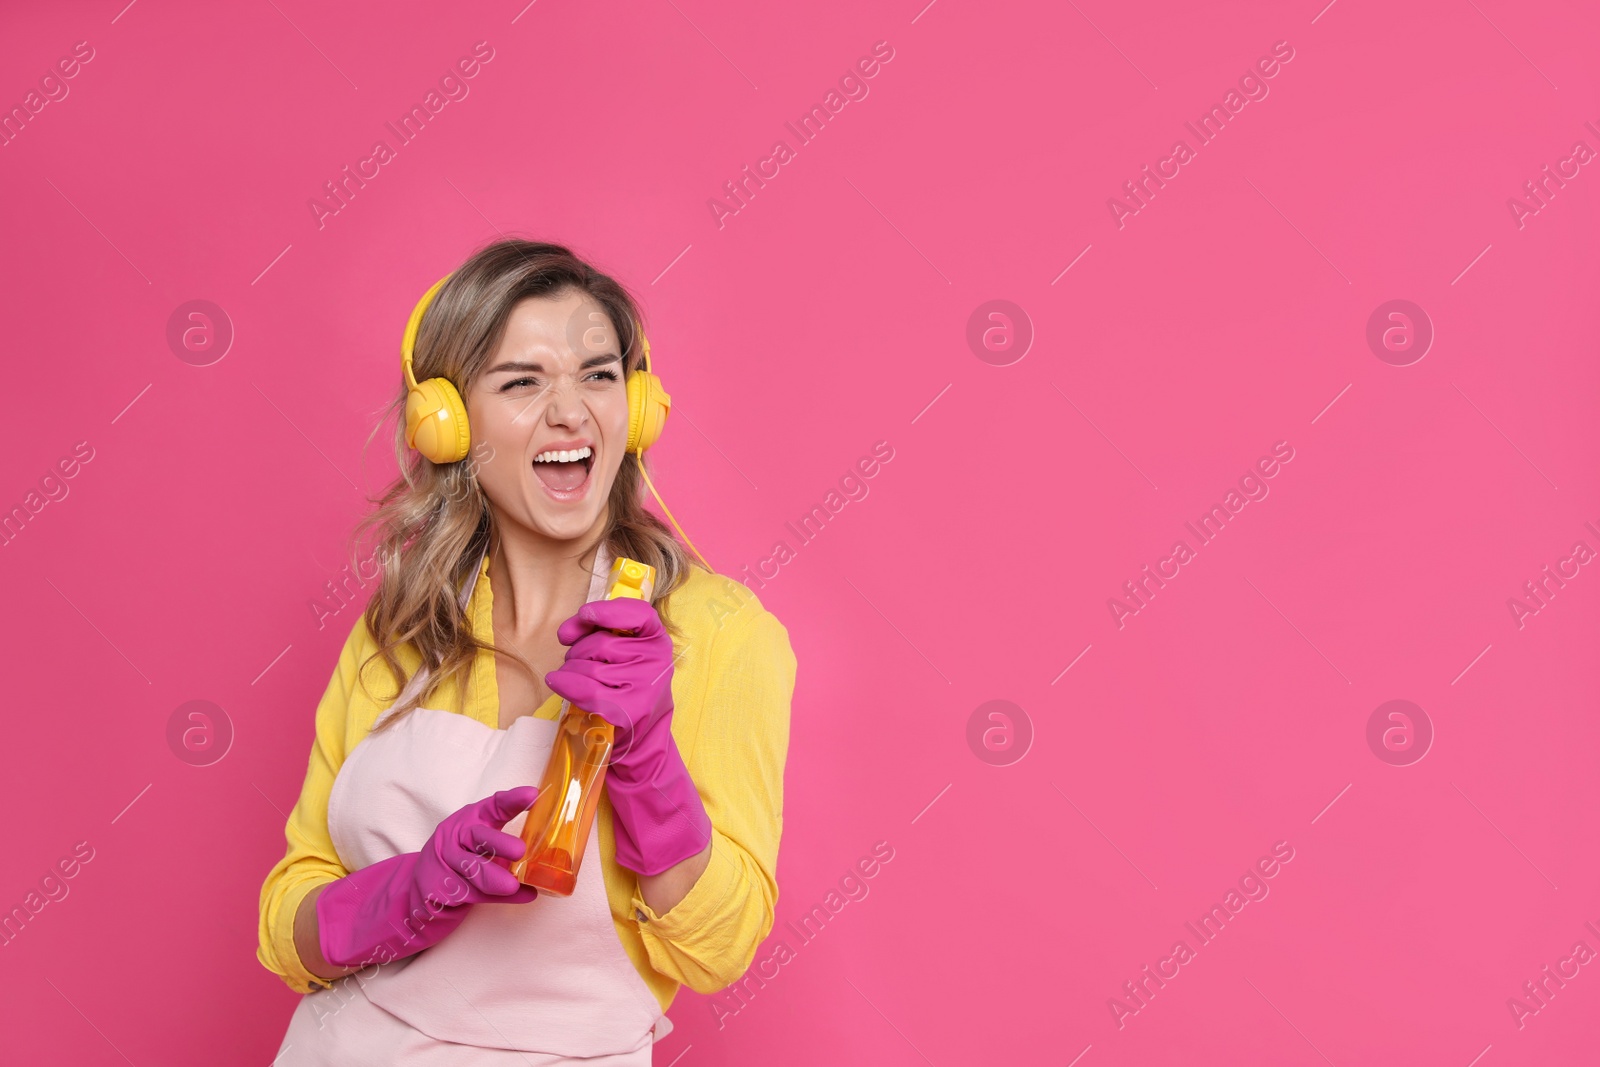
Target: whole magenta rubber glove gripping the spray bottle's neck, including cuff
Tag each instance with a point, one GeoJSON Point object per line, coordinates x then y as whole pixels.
{"type": "Point", "coordinates": [628, 681]}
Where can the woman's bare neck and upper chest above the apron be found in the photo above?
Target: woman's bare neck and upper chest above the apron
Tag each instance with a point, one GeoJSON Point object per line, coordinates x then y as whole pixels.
{"type": "Point", "coordinates": [538, 581]}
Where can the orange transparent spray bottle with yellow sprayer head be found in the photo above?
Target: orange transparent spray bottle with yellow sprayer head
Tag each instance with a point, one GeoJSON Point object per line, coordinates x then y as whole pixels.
{"type": "Point", "coordinates": [558, 828]}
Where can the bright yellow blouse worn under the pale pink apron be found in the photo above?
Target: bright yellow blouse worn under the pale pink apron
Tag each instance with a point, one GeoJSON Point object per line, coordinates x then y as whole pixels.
{"type": "Point", "coordinates": [732, 685]}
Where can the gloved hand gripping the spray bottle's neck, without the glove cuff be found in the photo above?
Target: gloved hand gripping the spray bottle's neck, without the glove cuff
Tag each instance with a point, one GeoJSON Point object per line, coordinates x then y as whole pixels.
{"type": "Point", "coordinates": [626, 677]}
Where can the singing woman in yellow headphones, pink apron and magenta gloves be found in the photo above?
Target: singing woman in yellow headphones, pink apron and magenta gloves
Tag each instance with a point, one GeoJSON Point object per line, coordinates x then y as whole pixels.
{"type": "Point", "coordinates": [394, 909]}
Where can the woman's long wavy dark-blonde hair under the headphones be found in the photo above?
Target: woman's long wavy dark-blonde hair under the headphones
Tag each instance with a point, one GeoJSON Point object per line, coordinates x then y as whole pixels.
{"type": "Point", "coordinates": [434, 521]}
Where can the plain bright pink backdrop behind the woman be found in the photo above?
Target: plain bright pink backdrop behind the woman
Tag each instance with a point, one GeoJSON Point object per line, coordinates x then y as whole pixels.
{"type": "Point", "coordinates": [1226, 316]}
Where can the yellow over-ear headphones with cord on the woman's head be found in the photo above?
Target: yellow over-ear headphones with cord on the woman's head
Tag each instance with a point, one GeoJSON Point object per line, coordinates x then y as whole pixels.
{"type": "Point", "coordinates": [436, 420]}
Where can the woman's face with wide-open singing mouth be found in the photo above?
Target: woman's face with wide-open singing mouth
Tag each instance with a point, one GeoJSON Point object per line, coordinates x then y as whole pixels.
{"type": "Point", "coordinates": [551, 417]}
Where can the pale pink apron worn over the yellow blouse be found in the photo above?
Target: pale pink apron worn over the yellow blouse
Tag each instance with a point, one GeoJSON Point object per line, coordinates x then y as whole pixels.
{"type": "Point", "coordinates": [540, 985]}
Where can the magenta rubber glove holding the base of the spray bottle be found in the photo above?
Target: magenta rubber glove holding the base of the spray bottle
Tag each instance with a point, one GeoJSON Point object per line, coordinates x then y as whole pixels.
{"type": "Point", "coordinates": [399, 906]}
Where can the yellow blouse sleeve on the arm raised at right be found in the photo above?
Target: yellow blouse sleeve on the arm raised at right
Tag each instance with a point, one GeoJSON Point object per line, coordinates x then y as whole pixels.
{"type": "Point", "coordinates": [737, 759]}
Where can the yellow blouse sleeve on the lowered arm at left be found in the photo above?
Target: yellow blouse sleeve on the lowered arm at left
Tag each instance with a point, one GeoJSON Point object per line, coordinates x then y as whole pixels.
{"type": "Point", "coordinates": [311, 858]}
